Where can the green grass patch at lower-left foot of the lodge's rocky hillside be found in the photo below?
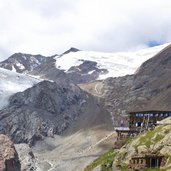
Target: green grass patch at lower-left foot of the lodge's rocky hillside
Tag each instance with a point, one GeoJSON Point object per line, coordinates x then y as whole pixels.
{"type": "Point", "coordinates": [105, 161]}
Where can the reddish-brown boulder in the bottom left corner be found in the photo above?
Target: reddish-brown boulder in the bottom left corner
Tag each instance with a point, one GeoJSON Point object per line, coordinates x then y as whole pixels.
{"type": "Point", "coordinates": [8, 156]}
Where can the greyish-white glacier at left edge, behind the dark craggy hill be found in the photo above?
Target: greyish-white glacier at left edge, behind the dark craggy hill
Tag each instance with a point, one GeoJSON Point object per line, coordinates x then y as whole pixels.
{"type": "Point", "coordinates": [12, 82]}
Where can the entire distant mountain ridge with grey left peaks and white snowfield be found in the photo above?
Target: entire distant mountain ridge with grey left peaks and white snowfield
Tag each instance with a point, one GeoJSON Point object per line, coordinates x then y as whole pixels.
{"type": "Point", "coordinates": [79, 66]}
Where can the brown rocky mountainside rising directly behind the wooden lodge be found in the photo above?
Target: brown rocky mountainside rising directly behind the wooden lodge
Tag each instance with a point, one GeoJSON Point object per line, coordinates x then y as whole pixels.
{"type": "Point", "coordinates": [149, 88]}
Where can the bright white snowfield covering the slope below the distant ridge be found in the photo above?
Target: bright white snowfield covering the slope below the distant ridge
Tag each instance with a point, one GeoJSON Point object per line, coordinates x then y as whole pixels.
{"type": "Point", "coordinates": [114, 64]}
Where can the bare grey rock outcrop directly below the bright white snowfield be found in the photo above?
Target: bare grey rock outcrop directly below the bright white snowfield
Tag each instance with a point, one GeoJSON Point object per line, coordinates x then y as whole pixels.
{"type": "Point", "coordinates": [85, 72]}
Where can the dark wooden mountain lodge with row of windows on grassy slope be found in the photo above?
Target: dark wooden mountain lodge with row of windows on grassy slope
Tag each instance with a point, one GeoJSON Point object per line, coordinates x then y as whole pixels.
{"type": "Point", "coordinates": [139, 121]}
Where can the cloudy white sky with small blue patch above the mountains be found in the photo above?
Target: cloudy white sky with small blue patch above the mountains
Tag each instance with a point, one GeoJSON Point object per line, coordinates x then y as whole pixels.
{"type": "Point", "coordinates": [51, 27]}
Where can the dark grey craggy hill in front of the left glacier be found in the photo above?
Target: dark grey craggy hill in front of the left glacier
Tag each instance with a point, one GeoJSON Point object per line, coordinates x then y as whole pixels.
{"type": "Point", "coordinates": [46, 109]}
